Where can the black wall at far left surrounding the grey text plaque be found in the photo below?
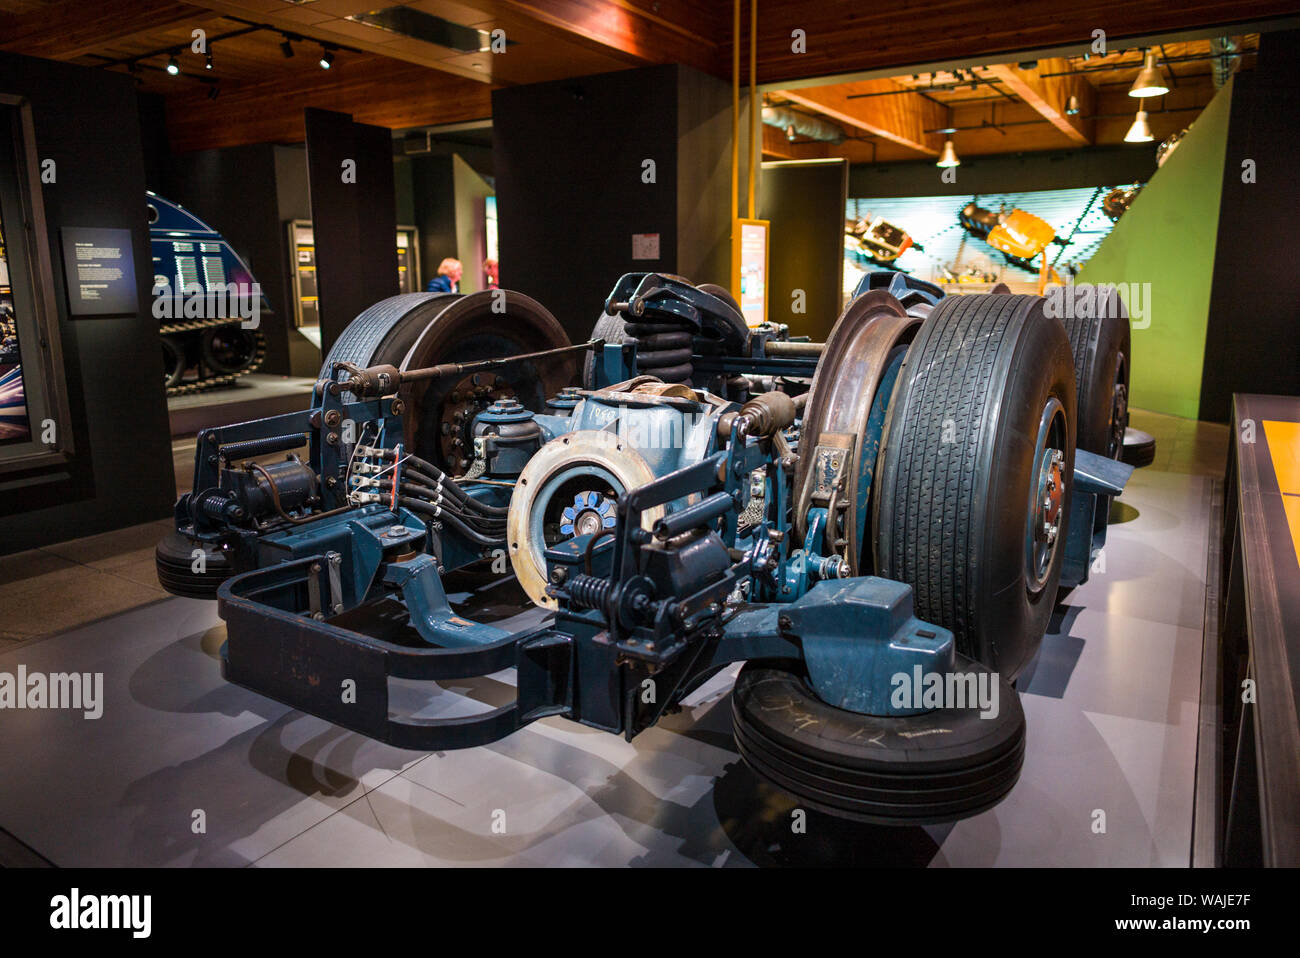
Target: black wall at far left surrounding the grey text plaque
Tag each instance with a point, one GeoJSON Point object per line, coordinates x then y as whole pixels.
{"type": "Point", "coordinates": [88, 123]}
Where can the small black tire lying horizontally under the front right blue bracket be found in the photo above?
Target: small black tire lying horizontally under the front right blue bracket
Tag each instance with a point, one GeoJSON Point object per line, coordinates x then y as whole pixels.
{"type": "Point", "coordinates": [941, 766]}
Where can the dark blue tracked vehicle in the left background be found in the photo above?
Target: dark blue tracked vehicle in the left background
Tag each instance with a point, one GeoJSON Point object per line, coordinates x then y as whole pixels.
{"type": "Point", "coordinates": [202, 296]}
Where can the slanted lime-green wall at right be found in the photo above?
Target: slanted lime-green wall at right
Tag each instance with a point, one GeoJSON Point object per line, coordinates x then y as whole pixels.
{"type": "Point", "coordinates": [1168, 240]}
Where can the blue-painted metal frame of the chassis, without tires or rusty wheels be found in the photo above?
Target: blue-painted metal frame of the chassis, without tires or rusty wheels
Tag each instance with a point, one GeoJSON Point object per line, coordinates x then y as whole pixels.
{"type": "Point", "coordinates": [634, 608]}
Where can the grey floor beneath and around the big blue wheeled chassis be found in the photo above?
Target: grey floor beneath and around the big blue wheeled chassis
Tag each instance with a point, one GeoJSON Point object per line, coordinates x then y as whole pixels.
{"type": "Point", "coordinates": [1111, 705]}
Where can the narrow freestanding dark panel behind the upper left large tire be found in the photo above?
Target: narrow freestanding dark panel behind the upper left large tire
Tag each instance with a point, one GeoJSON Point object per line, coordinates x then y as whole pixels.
{"type": "Point", "coordinates": [354, 218]}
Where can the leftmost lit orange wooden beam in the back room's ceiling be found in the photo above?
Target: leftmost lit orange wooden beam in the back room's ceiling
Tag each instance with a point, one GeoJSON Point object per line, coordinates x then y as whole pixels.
{"type": "Point", "coordinates": [882, 109]}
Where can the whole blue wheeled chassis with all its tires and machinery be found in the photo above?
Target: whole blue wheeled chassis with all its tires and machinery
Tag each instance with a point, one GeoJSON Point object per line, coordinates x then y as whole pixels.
{"type": "Point", "coordinates": [877, 526]}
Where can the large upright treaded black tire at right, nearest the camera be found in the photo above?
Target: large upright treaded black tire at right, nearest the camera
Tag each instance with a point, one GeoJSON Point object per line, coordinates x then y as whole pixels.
{"type": "Point", "coordinates": [954, 498]}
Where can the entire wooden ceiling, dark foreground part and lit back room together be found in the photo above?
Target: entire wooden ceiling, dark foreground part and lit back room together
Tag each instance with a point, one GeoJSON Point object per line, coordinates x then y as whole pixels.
{"type": "Point", "coordinates": [254, 93]}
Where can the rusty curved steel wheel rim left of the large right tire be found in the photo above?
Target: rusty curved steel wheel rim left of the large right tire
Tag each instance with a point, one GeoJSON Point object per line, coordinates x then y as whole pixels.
{"type": "Point", "coordinates": [839, 405]}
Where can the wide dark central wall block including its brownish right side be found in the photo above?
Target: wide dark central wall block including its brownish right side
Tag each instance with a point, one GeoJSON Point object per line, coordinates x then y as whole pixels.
{"type": "Point", "coordinates": [571, 176]}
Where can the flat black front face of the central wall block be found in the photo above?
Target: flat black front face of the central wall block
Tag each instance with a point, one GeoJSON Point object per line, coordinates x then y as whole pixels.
{"type": "Point", "coordinates": [570, 194]}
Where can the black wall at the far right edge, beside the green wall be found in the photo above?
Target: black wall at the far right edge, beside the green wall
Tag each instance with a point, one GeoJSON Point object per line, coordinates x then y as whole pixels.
{"type": "Point", "coordinates": [1253, 337]}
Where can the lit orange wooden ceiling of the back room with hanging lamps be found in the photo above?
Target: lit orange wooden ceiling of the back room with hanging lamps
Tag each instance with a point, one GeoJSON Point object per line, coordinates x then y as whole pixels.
{"type": "Point", "coordinates": [1002, 109]}
